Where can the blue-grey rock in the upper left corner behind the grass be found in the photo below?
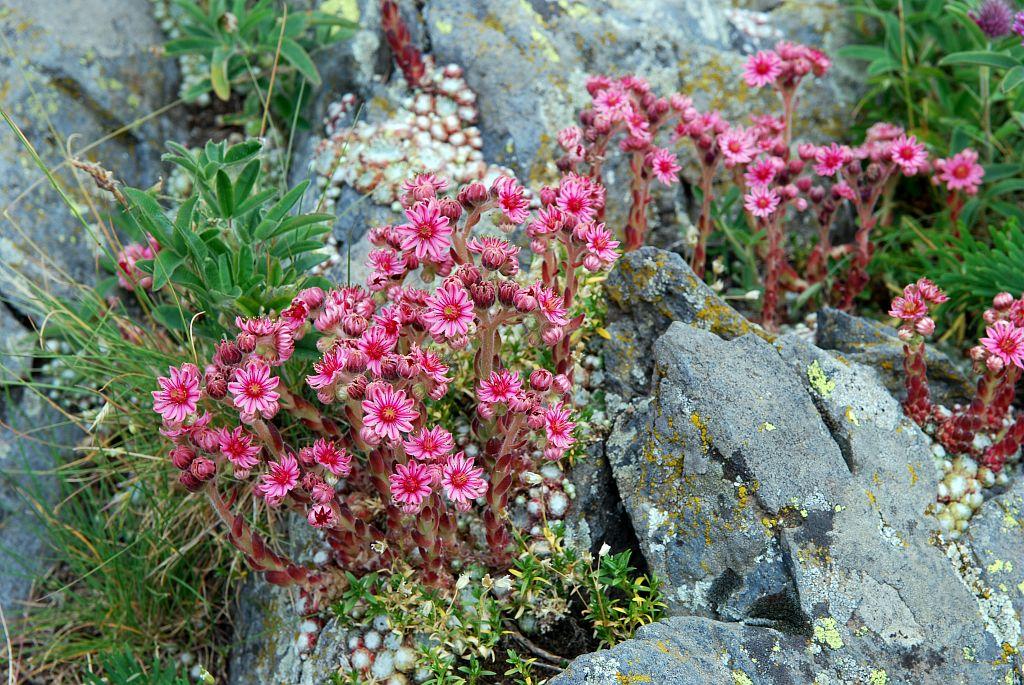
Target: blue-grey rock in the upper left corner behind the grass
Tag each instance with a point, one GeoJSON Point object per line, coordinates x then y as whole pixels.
{"type": "Point", "coordinates": [74, 77]}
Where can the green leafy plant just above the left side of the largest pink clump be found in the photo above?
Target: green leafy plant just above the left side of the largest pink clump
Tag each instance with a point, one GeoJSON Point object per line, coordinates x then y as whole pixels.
{"type": "Point", "coordinates": [233, 247]}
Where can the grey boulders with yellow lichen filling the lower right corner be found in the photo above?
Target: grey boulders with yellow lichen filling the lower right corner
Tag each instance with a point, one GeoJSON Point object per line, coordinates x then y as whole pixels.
{"type": "Point", "coordinates": [780, 493]}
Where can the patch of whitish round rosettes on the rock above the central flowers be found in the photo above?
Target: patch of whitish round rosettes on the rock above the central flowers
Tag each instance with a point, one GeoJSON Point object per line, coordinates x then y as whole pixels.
{"type": "Point", "coordinates": [432, 132]}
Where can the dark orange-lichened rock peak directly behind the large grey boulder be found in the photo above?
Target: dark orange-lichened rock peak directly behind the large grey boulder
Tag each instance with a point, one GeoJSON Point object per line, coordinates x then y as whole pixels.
{"type": "Point", "coordinates": [648, 290]}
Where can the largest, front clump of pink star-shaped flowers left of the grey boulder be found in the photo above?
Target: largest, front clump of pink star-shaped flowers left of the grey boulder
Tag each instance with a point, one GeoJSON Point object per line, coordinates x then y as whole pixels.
{"type": "Point", "coordinates": [369, 462]}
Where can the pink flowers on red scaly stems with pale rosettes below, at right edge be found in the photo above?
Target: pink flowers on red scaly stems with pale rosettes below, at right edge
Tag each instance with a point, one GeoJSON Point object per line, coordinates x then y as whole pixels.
{"type": "Point", "coordinates": [984, 437]}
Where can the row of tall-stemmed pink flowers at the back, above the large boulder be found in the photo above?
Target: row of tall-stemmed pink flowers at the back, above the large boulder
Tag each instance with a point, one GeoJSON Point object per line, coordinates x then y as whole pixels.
{"type": "Point", "coordinates": [776, 177]}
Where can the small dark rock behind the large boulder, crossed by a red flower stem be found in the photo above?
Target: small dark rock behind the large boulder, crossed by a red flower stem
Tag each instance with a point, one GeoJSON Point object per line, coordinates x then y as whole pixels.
{"type": "Point", "coordinates": [876, 346]}
